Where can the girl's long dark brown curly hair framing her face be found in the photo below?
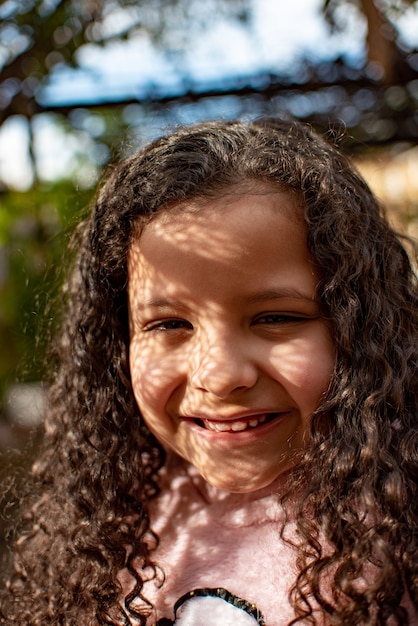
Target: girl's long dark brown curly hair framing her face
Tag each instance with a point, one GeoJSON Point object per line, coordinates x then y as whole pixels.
{"type": "Point", "coordinates": [88, 518]}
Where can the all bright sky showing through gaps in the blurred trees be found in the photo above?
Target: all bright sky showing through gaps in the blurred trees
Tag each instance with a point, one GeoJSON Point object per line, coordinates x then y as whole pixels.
{"type": "Point", "coordinates": [281, 33]}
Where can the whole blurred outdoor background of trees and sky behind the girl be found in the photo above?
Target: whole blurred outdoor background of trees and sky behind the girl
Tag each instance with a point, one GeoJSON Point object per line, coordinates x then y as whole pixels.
{"type": "Point", "coordinates": [83, 82]}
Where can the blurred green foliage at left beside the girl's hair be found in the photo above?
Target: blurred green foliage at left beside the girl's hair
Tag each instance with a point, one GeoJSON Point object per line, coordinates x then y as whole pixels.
{"type": "Point", "coordinates": [34, 230]}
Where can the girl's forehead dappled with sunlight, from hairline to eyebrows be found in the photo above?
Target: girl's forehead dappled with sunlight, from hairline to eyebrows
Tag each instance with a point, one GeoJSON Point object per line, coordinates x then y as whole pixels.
{"type": "Point", "coordinates": [240, 236]}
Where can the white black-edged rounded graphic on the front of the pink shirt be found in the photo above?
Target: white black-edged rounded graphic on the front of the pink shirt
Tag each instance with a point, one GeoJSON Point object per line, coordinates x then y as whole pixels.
{"type": "Point", "coordinates": [213, 607]}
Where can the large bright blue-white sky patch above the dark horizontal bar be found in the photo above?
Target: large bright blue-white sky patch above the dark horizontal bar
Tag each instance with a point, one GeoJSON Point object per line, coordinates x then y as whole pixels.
{"type": "Point", "coordinates": [276, 38]}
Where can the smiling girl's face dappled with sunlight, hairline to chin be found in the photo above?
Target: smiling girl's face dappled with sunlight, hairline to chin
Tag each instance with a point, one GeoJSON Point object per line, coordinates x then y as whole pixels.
{"type": "Point", "coordinates": [230, 354]}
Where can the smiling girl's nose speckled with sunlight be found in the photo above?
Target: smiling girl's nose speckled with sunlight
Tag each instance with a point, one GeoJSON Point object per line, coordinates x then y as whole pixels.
{"type": "Point", "coordinates": [222, 367]}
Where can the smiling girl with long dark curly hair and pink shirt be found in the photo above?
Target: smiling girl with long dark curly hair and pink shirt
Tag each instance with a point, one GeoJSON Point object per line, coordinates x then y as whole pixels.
{"type": "Point", "coordinates": [231, 435]}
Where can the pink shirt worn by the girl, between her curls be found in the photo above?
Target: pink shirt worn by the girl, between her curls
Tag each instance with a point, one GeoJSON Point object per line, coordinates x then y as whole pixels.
{"type": "Point", "coordinates": [221, 554]}
